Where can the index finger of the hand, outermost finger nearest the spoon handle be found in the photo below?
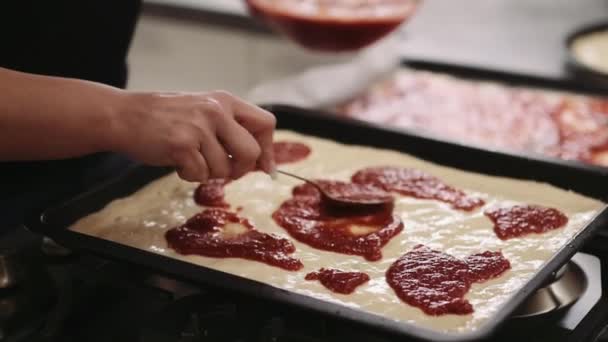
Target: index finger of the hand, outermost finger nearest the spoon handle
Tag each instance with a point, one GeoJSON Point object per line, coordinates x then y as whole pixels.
{"type": "Point", "coordinates": [261, 124]}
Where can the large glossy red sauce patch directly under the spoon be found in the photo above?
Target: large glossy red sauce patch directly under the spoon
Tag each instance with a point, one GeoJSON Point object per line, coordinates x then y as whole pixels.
{"type": "Point", "coordinates": [308, 220]}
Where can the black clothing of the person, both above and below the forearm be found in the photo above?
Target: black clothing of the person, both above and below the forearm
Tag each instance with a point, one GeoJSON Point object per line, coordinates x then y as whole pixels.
{"type": "Point", "coordinates": [83, 39]}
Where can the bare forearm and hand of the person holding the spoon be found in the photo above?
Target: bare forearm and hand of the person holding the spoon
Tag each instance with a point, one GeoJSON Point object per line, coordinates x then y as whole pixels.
{"type": "Point", "coordinates": [202, 135]}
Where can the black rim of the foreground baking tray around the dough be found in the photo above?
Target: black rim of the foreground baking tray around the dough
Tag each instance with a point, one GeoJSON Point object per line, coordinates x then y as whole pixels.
{"type": "Point", "coordinates": [54, 221]}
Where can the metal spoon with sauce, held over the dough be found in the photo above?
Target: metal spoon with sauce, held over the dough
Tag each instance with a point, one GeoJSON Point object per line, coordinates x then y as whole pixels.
{"type": "Point", "coordinates": [365, 198]}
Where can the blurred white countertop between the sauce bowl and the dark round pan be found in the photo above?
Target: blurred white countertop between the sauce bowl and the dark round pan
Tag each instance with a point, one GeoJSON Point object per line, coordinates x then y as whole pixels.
{"type": "Point", "coordinates": [521, 36]}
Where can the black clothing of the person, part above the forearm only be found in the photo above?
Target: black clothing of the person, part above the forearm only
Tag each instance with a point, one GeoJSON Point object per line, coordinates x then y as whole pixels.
{"type": "Point", "coordinates": [84, 39]}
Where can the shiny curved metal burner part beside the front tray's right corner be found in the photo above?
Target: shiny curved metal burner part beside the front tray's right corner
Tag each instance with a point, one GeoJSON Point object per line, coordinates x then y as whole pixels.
{"type": "Point", "coordinates": [567, 285]}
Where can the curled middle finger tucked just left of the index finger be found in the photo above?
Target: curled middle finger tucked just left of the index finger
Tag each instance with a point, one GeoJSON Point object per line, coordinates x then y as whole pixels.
{"type": "Point", "coordinates": [241, 145]}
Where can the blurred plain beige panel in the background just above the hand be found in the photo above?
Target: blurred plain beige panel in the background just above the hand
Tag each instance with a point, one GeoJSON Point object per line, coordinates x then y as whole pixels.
{"type": "Point", "coordinates": [170, 54]}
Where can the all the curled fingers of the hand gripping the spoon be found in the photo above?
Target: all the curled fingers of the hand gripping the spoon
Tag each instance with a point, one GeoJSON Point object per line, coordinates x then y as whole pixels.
{"type": "Point", "coordinates": [233, 138]}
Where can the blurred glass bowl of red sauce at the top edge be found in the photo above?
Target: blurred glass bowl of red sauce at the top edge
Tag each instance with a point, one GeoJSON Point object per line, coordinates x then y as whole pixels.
{"type": "Point", "coordinates": [334, 25]}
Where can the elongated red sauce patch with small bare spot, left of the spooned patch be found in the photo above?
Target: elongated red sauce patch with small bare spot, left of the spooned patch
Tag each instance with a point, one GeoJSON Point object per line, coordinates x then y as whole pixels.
{"type": "Point", "coordinates": [204, 235]}
